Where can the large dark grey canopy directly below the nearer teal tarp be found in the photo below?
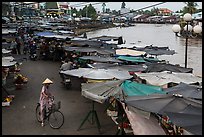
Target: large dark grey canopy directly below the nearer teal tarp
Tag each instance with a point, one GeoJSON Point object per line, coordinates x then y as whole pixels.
{"type": "Point", "coordinates": [161, 103]}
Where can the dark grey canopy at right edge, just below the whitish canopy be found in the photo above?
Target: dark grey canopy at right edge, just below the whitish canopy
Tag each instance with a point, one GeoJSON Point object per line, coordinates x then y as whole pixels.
{"type": "Point", "coordinates": [185, 90]}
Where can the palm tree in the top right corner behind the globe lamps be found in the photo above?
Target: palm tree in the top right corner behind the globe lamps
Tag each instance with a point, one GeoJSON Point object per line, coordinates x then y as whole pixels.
{"type": "Point", "coordinates": [190, 7]}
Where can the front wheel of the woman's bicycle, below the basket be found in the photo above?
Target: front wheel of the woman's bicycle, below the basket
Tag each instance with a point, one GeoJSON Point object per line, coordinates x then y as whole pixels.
{"type": "Point", "coordinates": [56, 119]}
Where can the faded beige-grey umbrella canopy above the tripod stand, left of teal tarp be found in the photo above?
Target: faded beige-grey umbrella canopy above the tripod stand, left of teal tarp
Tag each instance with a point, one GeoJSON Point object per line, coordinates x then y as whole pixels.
{"type": "Point", "coordinates": [99, 92]}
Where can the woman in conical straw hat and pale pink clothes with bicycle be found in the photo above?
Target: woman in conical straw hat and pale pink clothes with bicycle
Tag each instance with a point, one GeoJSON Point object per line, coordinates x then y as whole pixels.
{"type": "Point", "coordinates": [45, 97]}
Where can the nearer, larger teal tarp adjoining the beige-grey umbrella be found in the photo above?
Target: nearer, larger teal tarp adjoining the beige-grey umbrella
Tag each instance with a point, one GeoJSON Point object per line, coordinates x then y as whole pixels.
{"type": "Point", "coordinates": [132, 88]}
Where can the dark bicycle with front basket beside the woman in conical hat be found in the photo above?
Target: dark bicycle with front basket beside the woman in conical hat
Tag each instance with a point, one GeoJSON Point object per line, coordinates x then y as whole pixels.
{"type": "Point", "coordinates": [54, 116]}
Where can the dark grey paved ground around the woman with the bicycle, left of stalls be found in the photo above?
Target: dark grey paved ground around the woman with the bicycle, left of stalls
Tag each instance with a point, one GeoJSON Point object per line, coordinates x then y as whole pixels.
{"type": "Point", "coordinates": [19, 118]}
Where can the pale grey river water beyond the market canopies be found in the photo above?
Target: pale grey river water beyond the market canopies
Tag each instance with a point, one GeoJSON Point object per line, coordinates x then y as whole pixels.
{"type": "Point", "coordinates": [161, 36]}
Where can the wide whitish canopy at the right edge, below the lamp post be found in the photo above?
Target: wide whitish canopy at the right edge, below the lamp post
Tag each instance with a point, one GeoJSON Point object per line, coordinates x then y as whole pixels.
{"type": "Point", "coordinates": [165, 77]}
